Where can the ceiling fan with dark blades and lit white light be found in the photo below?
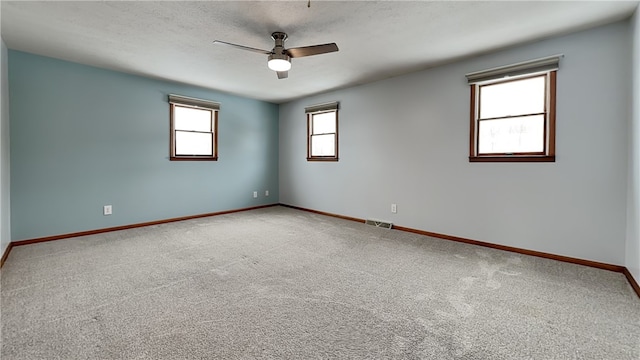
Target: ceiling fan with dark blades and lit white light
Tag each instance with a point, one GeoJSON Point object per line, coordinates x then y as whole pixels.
{"type": "Point", "coordinates": [280, 58]}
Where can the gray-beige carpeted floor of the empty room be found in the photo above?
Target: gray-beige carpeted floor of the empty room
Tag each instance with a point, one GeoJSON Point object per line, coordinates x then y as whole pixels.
{"type": "Point", "coordinates": [278, 283]}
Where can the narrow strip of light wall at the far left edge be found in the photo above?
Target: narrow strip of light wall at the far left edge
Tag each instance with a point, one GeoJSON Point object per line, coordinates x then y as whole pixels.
{"type": "Point", "coordinates": [5, 210]}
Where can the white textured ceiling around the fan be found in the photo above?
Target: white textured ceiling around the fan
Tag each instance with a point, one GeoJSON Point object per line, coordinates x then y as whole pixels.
{"type": "Point", "coordinates": [173, 40]}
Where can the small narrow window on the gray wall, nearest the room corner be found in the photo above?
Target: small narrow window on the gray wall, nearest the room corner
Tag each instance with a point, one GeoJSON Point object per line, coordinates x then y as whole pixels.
{"type": "Point", "coordinates": [322, 132]}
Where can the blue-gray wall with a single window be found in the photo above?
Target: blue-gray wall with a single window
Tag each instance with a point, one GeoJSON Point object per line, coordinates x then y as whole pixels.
{"type": "Point", "coordinates": [84, 137]}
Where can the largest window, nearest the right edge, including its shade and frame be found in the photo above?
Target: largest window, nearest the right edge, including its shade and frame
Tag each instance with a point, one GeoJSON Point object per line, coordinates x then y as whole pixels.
{"type": "Point", "coordinates": [513, 112]}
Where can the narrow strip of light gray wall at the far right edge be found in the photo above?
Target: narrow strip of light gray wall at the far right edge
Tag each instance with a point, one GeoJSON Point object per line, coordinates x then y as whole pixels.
{"type": "Point", "coordinates": [633, 197]}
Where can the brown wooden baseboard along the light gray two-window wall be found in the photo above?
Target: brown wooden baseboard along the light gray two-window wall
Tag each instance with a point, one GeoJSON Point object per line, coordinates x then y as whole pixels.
{"type": "Point", "coordinates": [567, 259]}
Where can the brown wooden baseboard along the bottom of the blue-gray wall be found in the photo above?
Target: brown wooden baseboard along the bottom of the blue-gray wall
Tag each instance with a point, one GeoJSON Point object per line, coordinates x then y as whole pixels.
{"type": "Point", "coordinates": [125, 227]}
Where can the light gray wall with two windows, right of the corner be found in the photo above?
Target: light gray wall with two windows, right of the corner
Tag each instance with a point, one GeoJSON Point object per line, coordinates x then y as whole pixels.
{"type": "Point", "coordinates": [405, 140]}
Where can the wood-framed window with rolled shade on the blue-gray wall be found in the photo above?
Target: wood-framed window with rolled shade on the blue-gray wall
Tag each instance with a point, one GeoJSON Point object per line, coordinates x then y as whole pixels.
{"type": "Point", "coordinates": [194, 124]}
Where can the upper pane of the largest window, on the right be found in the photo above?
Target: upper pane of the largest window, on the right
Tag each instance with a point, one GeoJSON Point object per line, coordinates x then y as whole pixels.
{"type": "Point", "coordinates": [513, 98]}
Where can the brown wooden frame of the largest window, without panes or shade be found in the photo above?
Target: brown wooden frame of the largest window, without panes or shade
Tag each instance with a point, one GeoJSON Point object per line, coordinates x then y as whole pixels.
{"type": "Point", "coordinates": [548, 154]}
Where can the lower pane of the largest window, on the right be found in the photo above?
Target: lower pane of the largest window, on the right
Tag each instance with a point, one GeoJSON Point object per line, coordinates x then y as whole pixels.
{"type": "Point", "coordinates": [513, 135]}
